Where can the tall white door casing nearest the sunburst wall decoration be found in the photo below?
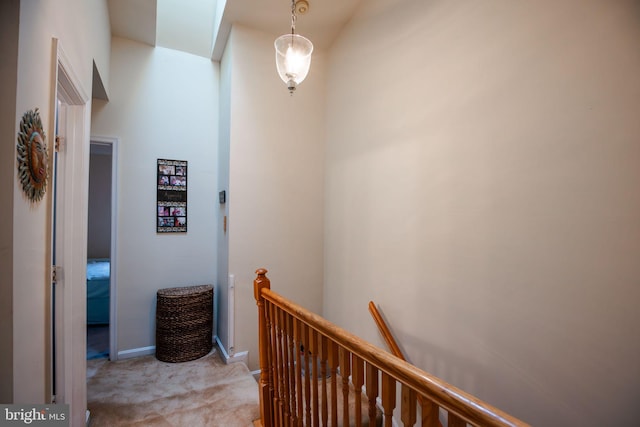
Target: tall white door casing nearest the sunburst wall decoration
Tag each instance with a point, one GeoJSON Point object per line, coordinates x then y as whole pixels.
{"type": "Point", "coordinates": [71, 236]}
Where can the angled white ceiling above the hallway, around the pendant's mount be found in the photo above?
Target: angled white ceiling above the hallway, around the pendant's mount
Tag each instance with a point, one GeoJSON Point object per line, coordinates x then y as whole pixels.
{"type": "Point", "coordinates": [188, 25]}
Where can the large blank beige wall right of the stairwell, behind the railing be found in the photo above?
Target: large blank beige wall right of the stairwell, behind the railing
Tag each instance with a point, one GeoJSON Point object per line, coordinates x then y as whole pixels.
{"type": "Point", "coordinates": [482, 173]}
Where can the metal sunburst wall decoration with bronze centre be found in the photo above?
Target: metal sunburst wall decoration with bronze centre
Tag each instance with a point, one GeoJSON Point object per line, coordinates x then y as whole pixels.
{"type": "Point", "coordinates": [32, 156]}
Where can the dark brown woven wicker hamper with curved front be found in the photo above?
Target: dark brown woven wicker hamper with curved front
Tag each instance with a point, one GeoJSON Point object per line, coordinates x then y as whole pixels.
{"type": "Point", "coordinates": [184, 323]}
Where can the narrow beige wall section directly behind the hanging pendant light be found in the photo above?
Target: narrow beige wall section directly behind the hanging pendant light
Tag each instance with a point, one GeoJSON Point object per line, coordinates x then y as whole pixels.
{"type": "Point", "coordinates": [276, 181]}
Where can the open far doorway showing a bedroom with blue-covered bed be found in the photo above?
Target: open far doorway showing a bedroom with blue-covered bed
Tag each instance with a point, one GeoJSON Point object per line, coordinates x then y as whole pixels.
{"type": "Point", "coordinates": [101, 298]}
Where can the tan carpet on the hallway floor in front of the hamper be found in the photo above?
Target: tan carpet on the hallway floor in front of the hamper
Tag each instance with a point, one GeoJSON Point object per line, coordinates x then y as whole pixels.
{"type": "Point", "coordinates": [146, 392]}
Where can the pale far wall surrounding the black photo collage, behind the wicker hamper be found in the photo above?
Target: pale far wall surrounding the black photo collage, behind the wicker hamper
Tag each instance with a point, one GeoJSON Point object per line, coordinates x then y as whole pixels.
{"type": "Point", "coordinates": [162, 105]}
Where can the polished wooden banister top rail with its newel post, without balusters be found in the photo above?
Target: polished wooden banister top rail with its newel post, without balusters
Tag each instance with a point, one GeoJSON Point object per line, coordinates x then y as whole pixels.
{"type": "Point", "coordinates": [445, 395]}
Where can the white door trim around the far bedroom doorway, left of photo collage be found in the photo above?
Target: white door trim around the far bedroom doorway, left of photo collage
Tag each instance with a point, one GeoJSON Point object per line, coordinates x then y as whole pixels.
{"type": "Point", "coordinates": [113, 285]}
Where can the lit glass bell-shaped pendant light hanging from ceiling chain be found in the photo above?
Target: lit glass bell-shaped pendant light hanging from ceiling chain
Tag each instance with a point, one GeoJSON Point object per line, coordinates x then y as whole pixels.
{"type": "Point", "coordinates": [293, 51]}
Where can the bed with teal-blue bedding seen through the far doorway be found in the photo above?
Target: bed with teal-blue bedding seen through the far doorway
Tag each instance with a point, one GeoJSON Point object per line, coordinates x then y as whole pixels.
{"type": "Point", "coordinates": [98, 286]}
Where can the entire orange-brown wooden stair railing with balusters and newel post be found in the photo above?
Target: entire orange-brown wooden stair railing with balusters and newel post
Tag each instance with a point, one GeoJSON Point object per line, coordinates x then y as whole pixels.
{"type": "Point", "coordinates": [313, 373]}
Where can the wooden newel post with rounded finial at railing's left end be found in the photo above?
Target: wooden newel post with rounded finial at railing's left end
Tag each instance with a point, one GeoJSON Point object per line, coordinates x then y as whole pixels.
{"type": "Point", "coordinates": [262, 282]}
